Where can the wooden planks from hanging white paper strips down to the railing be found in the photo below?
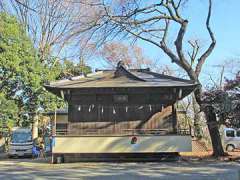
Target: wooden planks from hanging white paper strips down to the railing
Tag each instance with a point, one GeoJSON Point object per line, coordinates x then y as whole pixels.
{"type": "Point", "coordinates": [119, 119]}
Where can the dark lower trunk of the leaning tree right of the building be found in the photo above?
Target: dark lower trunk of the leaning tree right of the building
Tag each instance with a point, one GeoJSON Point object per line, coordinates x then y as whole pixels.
{"type": "Point", "coordinates": [214, 131]}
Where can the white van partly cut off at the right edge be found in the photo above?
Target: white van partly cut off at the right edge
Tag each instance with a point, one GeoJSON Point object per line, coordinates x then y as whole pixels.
{"type": "Point", "coordinates": [231, 139]}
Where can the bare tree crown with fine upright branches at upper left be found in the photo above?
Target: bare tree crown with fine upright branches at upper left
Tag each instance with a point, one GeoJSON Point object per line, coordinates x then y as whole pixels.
{"type": "Point", "coordinates": [55, 26]}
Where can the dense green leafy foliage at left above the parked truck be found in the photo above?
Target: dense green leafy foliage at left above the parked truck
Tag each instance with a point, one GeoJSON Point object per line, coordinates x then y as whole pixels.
{"type": "Point", "coordinates": [22, 75]}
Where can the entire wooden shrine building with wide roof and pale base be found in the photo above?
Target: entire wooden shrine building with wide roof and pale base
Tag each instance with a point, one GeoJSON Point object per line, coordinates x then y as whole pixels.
{"type": "Point", "coordinates": [122, 111]}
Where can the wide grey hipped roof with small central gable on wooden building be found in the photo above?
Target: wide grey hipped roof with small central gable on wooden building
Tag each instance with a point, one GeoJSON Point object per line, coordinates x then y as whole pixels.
{"type": "Point", "coordinates": [121, 77]}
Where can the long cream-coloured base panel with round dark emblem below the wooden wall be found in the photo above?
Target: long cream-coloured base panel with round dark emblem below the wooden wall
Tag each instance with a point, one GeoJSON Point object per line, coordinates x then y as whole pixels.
{"type": "Point", "coordinates": [121, 144]}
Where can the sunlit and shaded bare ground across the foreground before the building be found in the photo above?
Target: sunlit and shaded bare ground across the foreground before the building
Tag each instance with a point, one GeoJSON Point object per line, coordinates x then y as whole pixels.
{"type": "Point", "coordinates": [194, 170]}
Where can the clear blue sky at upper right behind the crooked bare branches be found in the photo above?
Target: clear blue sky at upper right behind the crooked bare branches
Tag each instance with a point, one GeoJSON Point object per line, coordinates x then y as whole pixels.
{"type": "Point", "coordinates": [225, 23]}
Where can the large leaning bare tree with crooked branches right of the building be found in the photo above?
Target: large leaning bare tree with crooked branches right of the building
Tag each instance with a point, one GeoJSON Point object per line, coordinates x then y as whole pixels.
{"type": "Point", "coordinates": [151, 22]}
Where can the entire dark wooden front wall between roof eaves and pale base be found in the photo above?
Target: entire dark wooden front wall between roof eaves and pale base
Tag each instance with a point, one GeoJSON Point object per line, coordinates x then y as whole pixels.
{"type": "Point", "coordinates": [102, 114]}
